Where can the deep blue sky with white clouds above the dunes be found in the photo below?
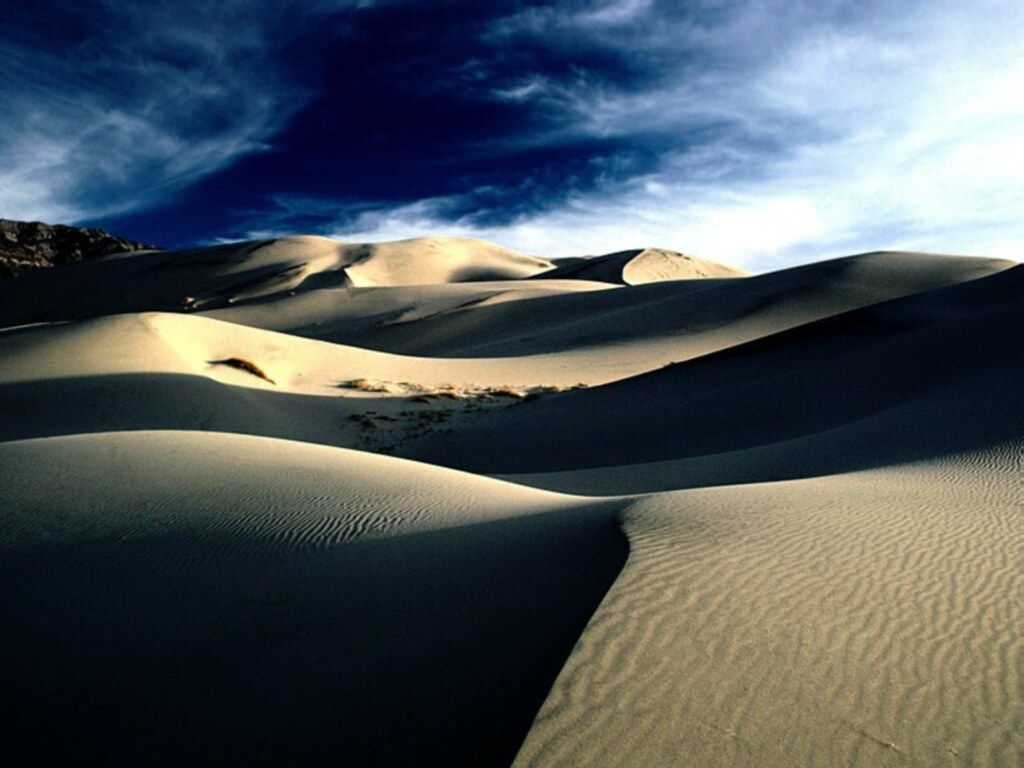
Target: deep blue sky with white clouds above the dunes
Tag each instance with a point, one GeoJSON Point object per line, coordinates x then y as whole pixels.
{"type": "Point", "coordinates": [762, 135]}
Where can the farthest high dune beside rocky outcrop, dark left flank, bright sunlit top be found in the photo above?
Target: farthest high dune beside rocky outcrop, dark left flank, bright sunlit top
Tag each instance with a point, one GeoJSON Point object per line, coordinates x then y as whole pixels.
{"type": "Point", "coordinates": [208, 278]}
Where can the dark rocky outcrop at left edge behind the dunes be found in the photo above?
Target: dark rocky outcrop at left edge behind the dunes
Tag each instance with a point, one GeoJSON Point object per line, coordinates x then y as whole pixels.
{"type": "Point", "coordinates": [31, 245]}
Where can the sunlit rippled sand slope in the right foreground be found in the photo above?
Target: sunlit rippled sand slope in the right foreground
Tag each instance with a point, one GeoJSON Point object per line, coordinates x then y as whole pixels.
{"type": "Point", "coordinates": [861, 620]}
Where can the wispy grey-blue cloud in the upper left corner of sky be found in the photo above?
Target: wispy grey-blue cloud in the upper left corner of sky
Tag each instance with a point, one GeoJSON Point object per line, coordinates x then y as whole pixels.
{"type": "Point", "coordinates": [115, 107]}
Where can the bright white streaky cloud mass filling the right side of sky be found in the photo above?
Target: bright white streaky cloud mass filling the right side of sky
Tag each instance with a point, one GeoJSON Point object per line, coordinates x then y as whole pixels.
{"type": "Point", "coordinates": [903, 129]}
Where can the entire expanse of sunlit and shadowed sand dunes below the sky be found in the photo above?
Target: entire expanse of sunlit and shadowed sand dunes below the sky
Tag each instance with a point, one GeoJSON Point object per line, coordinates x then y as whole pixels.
{"type": "Point", "coordinates": [439, 503]}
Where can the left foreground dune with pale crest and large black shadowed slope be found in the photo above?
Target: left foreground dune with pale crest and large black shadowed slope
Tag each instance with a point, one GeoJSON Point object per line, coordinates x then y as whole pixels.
{"type": "Point", "coordinates": [182, 598]}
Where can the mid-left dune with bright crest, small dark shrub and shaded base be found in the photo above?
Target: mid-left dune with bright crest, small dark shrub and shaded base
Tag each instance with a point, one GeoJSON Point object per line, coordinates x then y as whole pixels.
{"type": "Point", "coordinates": [163, 371]}
